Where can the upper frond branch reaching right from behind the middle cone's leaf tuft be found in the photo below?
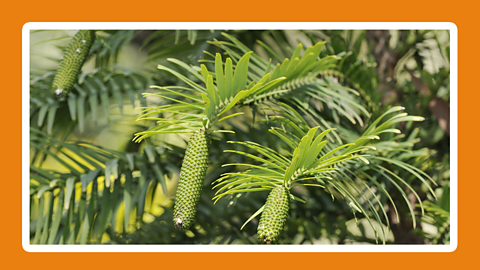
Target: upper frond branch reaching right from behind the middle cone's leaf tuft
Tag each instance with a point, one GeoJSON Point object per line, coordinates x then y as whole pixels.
{"type": "Point", "coordinates": [302, 73]}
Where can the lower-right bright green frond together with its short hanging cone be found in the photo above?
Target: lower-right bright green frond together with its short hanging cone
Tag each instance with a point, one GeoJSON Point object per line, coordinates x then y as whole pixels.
{"type": "Point", "coordinates": [314, 162]}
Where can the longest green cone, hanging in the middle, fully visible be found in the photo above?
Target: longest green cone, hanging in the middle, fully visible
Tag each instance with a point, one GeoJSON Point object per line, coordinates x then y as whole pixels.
{"type": "Point", "coordinates": [192, 175]}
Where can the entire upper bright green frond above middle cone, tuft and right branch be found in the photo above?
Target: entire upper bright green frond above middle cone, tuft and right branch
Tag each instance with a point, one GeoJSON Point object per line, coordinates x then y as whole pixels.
{"type": "Point", "coordinates": [254, 81]}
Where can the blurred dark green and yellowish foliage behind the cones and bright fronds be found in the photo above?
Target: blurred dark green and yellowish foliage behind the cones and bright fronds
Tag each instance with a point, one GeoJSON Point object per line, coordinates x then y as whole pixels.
{"type": "Point", "coordinates": [90, 183]}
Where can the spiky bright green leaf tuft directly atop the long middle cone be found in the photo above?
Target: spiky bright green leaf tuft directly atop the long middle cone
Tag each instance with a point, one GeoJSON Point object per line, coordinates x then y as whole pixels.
{"type": "Point", "coordinates": [198, 105]}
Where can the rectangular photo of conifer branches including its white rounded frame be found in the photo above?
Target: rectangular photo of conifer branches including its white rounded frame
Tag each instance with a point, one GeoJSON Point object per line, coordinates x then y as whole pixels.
{"type": "Point", "coordinates": [242, 139]}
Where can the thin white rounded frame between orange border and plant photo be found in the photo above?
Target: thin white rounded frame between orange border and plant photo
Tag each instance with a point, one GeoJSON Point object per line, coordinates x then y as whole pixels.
{"type": "Point", "coordinates": [250, 26]}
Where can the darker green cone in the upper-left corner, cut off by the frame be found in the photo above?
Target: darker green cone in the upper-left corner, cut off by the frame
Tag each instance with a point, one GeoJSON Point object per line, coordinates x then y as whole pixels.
{"type": "Point", "coordinates": [75, 55]}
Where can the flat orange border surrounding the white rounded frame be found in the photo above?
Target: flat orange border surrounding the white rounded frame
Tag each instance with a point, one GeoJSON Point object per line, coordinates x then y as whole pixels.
{"type": "Point", "coordinates": [304, 11]}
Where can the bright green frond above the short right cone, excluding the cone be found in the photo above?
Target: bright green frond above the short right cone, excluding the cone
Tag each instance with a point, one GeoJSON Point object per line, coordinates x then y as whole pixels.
{"type": "Point", "coordinates": [314, 163]}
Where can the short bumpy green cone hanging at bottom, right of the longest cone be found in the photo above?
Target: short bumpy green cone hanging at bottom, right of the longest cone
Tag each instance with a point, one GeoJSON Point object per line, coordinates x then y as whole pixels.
{"type": "Point", "coordinates": [274, 215]}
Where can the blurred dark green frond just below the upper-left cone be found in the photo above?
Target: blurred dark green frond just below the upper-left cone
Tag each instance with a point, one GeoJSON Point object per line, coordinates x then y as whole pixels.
{"type": "Point", "coordinates": [92, 93]}
